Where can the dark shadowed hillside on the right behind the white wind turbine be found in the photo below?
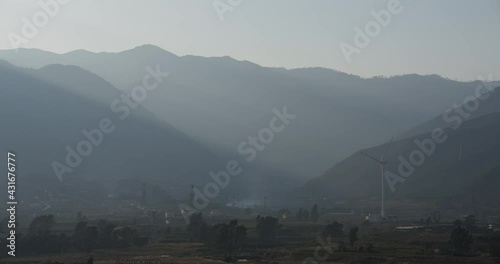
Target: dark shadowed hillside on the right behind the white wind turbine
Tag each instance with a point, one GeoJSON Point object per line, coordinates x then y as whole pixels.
{"type": "Point", "coordinates": [467, 162]}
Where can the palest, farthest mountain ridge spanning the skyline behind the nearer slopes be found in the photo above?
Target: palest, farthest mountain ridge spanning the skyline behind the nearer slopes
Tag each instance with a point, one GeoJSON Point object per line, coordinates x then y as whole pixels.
{"type": "Point", "coordinates": [221, 101]}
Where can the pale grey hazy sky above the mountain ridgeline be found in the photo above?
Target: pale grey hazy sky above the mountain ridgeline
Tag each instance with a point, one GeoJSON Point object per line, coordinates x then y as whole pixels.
{"type": "Point", "coordinates": [458, 39]}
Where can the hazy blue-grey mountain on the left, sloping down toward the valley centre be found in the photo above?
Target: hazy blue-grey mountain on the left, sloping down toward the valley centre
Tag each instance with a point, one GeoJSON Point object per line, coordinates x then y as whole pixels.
{"type": "Point", "coordinates": [45, 110]}
